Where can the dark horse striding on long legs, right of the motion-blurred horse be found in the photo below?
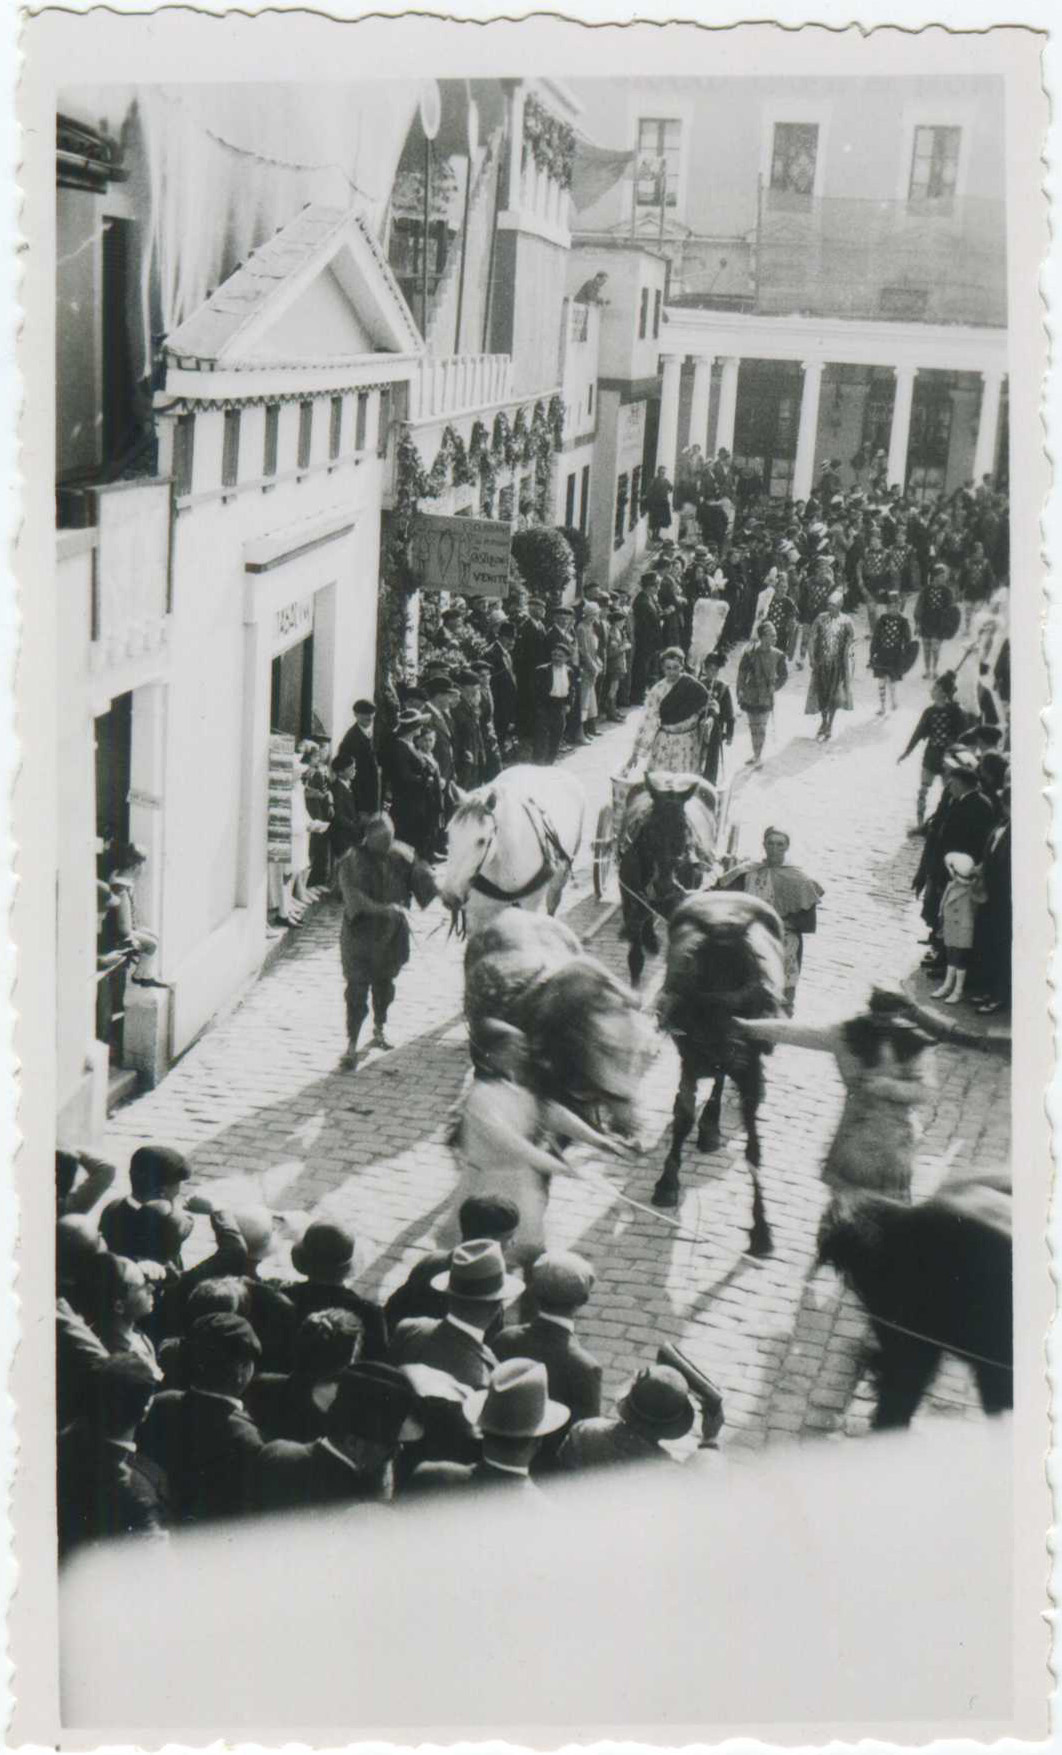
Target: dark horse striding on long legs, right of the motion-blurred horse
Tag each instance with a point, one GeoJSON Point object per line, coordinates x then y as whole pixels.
{"type": "Point", "coordinates": [724, 963]}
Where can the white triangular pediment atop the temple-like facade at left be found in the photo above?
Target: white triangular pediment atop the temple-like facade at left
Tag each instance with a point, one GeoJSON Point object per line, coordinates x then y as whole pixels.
{"type": "Point", "coordinates": [319, 292]}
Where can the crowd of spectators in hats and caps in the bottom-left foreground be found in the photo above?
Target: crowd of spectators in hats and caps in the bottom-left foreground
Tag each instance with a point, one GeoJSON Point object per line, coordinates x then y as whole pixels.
{"type": "Point", "coordinates": [236, 1386]}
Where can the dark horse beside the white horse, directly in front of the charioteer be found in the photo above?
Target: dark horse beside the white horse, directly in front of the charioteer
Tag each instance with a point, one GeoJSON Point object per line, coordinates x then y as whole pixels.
{"type": "Point", "coordinates": [670, 835]}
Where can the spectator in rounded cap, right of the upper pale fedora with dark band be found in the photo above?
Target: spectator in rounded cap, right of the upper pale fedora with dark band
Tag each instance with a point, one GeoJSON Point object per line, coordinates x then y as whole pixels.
{"type": "Point", "coordinates": [561, 1284]}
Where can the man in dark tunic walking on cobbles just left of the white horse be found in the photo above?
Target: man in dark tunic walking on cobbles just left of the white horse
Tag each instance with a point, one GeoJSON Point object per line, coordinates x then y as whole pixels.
{"type": "Point", "coordinates": [378, 882]}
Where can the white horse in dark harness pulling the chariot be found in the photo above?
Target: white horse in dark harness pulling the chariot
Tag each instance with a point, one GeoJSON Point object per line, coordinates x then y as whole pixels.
{"type": "Point", "coordinates": [513, 843]}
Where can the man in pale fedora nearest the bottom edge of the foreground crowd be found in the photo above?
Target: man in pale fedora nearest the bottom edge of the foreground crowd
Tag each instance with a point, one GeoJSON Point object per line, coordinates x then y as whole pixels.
{"type": "Point", "coordinates": [512, 1417]}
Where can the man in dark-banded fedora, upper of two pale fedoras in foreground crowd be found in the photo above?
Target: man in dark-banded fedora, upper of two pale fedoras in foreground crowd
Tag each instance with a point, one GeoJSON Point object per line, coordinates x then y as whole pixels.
{"type": "Point", "coordinates": [477, 1287]}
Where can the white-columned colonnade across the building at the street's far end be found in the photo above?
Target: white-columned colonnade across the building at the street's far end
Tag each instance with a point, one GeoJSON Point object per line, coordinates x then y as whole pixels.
{"type": "Point", "coordinates": [789, 394]}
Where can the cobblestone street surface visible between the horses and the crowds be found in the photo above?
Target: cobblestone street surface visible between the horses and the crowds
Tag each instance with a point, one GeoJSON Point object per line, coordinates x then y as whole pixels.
{"type": "Point", "coordinates": [266, 1115]}
